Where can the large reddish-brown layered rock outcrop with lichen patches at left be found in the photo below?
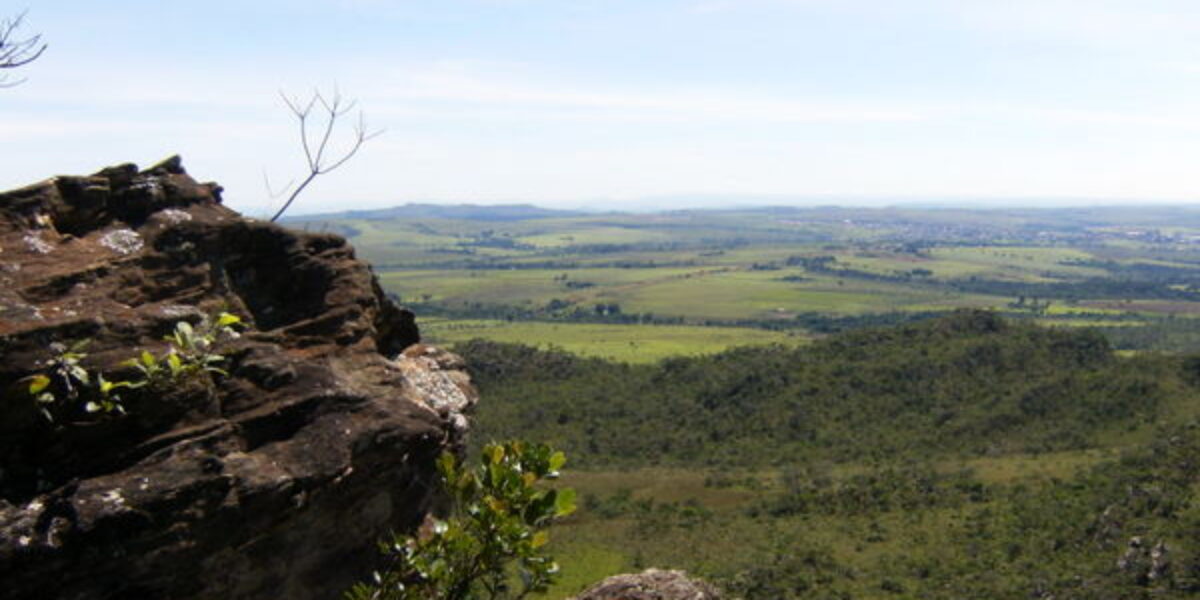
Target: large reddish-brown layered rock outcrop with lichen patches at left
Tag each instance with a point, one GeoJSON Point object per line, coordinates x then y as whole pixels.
{"type": "Point", "coordinates": [272, 483]}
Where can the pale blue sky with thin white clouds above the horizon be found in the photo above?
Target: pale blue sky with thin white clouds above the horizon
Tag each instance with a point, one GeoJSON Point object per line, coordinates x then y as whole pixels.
{"type": "Point", "coordinates": [615, 104]}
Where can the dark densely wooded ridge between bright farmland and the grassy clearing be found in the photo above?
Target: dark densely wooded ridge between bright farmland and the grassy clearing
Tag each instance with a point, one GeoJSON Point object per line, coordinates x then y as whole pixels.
{"type": "Point", "coordinates": [971, 383]}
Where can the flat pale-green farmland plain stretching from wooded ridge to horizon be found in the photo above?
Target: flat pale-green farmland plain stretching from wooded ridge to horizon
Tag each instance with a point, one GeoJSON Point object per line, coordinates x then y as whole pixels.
{"type": "Point", "coordinates": [801, 272]}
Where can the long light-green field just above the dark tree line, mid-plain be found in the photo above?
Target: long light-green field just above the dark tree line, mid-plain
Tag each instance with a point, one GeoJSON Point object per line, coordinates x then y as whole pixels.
{"type": "Point", "coordinates": [698, 295]}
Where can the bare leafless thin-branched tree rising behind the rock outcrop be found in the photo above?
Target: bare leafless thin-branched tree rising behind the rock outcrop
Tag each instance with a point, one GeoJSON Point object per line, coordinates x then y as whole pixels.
{"type": "Point", "coordinates": [315, 141]}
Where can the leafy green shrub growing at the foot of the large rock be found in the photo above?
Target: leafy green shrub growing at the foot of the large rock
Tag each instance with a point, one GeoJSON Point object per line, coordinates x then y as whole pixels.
{"type": "Point", "coordinates": [493, 544]}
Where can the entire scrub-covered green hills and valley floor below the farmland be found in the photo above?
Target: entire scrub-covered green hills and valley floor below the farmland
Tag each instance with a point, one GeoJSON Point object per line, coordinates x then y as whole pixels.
{"type": "Point", "coordinates": [967, 457]}
